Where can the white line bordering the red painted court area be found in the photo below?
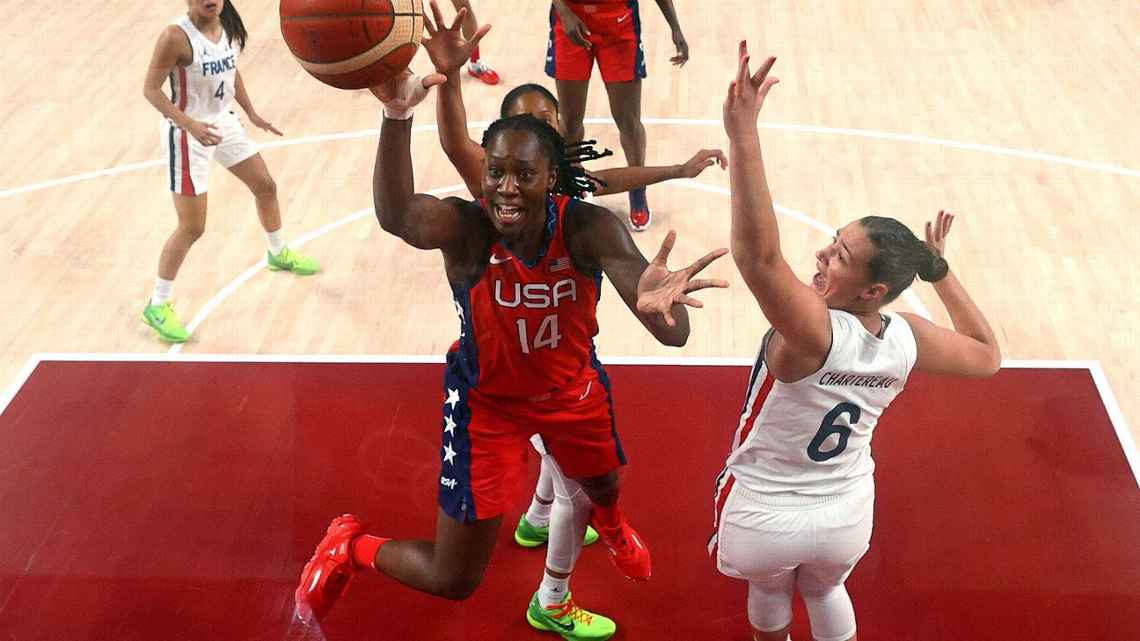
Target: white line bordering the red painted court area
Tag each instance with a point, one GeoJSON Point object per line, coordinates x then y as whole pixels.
{"type": "Point", "coordinates": [1108, 399]}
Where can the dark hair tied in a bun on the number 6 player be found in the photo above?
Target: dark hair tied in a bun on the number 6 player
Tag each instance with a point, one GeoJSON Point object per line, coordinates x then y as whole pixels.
{"type": "Point", "coordinates": [900, 256]}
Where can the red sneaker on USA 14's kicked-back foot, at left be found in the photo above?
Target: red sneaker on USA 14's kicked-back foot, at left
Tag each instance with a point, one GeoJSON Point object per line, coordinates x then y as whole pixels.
{"type": "Point", "coordinates": [327, 577]}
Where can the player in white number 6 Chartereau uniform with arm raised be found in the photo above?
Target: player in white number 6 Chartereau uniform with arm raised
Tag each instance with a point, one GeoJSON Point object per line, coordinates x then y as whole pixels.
{"type": "Point", "coordinates": [795, 502]}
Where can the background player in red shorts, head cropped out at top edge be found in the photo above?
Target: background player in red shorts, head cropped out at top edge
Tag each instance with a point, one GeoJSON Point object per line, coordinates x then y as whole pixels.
{"type": "Point", "coordinates": [609, 31]}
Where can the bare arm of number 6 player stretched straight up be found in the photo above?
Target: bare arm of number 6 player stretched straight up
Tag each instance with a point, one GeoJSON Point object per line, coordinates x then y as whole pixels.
{"type": "Point", "coordinates": [797, 313]}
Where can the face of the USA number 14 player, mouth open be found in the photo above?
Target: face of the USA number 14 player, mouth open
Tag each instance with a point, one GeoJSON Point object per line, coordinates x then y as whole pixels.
{"type": "Point", "coordinates": [517, 178]}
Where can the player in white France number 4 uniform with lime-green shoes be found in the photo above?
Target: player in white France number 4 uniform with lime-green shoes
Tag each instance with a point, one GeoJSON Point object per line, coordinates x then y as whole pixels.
{"type": "Point", "coordinates": [193, 82]}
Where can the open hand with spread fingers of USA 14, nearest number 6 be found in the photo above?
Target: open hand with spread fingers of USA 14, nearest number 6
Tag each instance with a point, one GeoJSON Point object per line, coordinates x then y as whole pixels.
{"type": "Point", "coordinates": [658, 289]}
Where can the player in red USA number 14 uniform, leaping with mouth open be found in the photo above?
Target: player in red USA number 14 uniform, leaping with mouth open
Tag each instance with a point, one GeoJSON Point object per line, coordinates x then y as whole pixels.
{"type": "Point", "coordinates": [525, 265]}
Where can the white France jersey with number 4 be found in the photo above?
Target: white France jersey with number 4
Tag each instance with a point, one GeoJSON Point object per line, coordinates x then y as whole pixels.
{"type": "Point", "coordinates": [205, 90]}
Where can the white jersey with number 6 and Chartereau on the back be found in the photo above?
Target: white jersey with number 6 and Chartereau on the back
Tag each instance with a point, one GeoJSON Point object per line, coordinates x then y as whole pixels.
{"type": "Point", "coordinates": [813, 437]}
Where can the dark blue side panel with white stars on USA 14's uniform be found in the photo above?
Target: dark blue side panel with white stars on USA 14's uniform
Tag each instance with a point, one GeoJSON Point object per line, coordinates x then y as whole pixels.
{"type": "Point", "coordinates": [461, 375]}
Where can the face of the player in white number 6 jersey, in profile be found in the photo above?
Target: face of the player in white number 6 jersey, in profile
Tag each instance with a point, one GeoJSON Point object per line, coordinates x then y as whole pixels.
{"type": "Point", "coordinates": [843, 274]}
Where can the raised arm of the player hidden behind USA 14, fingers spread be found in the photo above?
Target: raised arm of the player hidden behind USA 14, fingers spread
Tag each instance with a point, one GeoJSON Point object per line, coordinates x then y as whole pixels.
{"type": "Point", "coordinates": [449, 51]}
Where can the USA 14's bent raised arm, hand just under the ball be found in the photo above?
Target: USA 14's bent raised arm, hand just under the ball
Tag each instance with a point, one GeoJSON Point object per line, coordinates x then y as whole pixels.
{"type": "Point", "coordinates": [421, 221]}
